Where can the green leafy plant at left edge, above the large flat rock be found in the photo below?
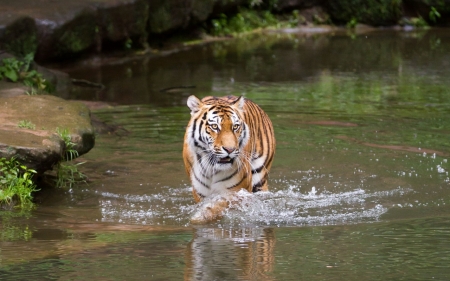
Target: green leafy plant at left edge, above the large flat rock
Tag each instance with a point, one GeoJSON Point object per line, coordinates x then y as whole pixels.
{"type": "Point", "coordinates": [15, 70]}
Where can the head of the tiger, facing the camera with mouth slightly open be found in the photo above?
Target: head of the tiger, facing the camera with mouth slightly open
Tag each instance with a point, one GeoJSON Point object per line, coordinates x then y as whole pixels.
{"type": "Point", "coordinates": [217, 132]}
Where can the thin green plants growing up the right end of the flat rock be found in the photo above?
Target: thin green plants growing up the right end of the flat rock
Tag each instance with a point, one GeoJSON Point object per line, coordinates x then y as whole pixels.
{"type": "Point", "coordinates": [68, 174]}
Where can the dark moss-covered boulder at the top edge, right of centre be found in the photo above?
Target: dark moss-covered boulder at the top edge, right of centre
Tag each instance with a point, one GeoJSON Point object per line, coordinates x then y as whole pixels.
{"type": "Point", "coordinates": [372, 12]}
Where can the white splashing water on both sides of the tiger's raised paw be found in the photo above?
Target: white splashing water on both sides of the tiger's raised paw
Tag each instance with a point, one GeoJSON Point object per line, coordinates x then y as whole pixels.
{"type": "Point", "coordinates": [290, 207]}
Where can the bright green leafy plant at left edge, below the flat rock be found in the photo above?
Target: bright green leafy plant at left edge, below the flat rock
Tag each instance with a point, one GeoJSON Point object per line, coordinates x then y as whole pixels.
{"type": "Point", "coordinates": [16, 183]}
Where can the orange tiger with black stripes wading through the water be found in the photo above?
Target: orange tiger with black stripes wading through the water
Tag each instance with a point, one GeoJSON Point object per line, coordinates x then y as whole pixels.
{"type": "Point", "coordinates": [229, 145]}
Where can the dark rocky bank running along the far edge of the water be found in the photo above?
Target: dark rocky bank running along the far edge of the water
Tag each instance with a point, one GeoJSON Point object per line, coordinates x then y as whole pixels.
{"type": "Point", "coordinates": [54, 30]}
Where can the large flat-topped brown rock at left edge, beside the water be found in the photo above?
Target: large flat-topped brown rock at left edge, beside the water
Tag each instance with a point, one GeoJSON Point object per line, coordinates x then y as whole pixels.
{"type": "Point", "coordinates": [41, 148]}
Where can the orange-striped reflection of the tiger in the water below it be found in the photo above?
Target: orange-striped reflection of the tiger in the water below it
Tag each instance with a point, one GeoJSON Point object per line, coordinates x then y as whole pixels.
{"type": "Point", "coordinates": [230, 254]}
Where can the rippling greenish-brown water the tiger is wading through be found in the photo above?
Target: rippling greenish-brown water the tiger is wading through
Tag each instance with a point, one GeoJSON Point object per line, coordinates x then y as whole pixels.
{"type": "Point", "coordinates": [359, 189]}
